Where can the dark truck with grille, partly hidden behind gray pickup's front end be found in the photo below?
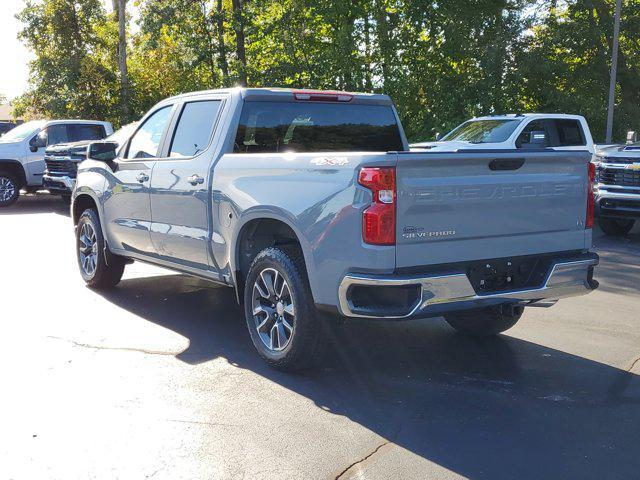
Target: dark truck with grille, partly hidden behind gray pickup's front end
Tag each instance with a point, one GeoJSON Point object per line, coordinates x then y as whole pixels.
{"type": "Point", "coordinates": [62, 160]}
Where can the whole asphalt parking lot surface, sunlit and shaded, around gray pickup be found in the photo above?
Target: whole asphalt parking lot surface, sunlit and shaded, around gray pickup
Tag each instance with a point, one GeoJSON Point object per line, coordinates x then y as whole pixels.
{"type": "Point", "coordinates": [158, 379]}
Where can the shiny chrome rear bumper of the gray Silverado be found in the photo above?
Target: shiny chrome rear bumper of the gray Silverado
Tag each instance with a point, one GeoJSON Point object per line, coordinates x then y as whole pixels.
{"type": "Point", "coordinates": [566, 279]}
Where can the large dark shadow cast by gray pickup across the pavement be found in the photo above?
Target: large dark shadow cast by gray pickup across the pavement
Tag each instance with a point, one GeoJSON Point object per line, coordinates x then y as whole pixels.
{"type": "Point", "coordinates": [490, 408]}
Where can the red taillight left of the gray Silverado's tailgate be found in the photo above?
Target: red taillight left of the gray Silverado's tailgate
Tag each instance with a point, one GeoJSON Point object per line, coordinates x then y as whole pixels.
{"type": "Point", "coordinates": [379, 219]}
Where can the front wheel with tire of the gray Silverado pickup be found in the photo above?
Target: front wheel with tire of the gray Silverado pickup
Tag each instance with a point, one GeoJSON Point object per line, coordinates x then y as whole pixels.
{"type": "Point", "coordinates": [106, 272]}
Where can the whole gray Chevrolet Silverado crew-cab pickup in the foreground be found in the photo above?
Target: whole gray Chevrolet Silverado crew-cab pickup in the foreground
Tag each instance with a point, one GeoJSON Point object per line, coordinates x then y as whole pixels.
{"type": "Point", "coordinates": [309, 205]}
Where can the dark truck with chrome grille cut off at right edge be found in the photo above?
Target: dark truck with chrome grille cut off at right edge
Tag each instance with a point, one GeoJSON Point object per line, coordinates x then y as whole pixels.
{"type": "Point", "coordinates": [617, 187]}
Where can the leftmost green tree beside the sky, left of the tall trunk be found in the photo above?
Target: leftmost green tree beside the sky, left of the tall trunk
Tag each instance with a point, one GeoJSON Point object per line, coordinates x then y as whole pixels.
{"type": "Point", "coordinates": [72, 74]}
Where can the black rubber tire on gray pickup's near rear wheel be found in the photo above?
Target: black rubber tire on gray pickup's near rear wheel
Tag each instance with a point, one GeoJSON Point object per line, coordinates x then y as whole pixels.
{"type": "Point", "coordinates": [305, 346]}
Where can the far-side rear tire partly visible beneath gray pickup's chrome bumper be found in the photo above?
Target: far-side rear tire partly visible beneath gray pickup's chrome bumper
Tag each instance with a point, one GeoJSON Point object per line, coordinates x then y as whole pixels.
{"type": "Point", "coordinates": [486, 321]}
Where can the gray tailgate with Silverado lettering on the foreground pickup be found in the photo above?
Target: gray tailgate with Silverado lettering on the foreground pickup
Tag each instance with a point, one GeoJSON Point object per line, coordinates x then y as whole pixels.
{"type": "Point", "coordinates": [455, 207]}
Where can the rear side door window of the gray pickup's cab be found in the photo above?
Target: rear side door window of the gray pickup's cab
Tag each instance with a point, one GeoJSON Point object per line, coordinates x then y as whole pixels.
{"type": "Point", "coordinates": [195, 126]}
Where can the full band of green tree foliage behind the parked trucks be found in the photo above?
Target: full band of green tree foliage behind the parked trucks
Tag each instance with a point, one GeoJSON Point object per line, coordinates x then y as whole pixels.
{"type": "Point", "coordinates": [441, 61]}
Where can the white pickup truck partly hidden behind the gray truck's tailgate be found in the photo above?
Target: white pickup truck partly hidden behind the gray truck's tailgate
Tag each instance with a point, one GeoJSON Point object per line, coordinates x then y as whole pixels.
{"type": "Point", "coordinates": [516, 131]}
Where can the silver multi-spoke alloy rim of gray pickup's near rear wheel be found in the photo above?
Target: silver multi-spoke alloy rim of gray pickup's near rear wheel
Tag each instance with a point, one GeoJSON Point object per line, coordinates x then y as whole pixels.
{"type": "Point", "coordinates": [273, 309]}
